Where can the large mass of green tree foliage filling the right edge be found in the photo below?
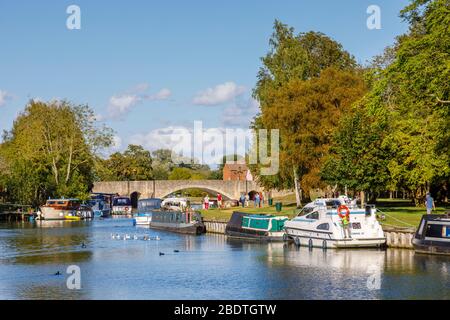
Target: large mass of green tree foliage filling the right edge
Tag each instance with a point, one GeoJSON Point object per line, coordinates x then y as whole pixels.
{"type": "Point", "coordinates": [406, 110]}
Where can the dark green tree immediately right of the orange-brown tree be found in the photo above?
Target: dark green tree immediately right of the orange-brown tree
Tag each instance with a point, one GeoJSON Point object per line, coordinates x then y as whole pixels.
{"type": "Point", "coordinates": [358, 160]}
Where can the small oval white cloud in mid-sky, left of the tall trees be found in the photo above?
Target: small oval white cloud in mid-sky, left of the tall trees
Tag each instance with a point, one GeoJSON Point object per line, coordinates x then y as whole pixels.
{"type": "Point", "coordinates": [219, 94]}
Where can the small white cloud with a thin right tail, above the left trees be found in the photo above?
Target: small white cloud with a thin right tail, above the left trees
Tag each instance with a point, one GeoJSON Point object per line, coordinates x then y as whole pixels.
{"type": "Point", "coordinates": [120, 105]}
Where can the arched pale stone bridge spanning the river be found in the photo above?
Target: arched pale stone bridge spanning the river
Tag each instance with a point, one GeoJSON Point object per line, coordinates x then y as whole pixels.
{"type": "Point", "coordinates": [162, 188]}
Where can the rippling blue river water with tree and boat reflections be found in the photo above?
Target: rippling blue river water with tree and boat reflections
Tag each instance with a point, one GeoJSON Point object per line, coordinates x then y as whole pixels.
{"type": "Point", "coordinates": [206, 267]}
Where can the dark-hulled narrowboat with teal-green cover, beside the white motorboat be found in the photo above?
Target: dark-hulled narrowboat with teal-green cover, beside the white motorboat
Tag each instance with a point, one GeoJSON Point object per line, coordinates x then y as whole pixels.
{"type": "Point", "coordinates": [262, 227]}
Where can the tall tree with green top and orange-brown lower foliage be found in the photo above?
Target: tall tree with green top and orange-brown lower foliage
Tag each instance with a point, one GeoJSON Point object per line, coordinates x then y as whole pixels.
{"type": "Point", "coordinates": [307, 82]}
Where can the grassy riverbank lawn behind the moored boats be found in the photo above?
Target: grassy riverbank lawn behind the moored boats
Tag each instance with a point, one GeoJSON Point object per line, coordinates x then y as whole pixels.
{"type": "Point", "coordinates": [398, 213]}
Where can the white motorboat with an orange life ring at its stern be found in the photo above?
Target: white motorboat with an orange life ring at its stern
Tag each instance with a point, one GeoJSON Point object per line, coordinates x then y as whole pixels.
{"type": "Point", "coordinates": [320, 224]}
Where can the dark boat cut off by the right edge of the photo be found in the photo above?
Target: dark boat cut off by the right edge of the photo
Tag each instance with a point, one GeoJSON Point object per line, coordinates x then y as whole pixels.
{"type": "Point", "coordinates": [433, 235]}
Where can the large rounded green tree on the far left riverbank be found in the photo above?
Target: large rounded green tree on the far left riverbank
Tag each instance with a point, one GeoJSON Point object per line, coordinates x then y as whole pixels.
{"type": "Point", "coordinates": [50, 151]}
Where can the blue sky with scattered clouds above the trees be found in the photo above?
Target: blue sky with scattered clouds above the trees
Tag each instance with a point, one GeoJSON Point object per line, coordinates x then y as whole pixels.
{"type": "Point", "coordinates": [150, 65]}
